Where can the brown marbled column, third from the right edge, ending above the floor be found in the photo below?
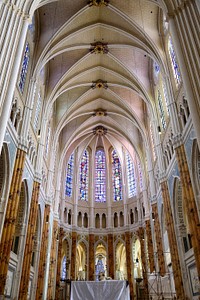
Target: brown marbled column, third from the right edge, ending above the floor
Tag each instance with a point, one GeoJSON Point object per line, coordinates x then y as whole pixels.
{"type": "Point", "coordinates": [159, 244]}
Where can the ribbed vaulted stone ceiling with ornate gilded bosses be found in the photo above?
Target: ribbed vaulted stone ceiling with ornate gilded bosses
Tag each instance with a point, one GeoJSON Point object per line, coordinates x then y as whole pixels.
{"type": "Point", "coordinates": [99, 63]}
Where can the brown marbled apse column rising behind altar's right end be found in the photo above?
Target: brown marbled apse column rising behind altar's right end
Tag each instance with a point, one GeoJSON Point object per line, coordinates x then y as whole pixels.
{"type": "Point", "coordinates": [129, 263]}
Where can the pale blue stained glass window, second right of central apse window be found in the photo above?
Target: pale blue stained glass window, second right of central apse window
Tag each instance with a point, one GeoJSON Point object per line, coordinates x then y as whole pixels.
{"type": "Point", "coordinates": [131, 176]}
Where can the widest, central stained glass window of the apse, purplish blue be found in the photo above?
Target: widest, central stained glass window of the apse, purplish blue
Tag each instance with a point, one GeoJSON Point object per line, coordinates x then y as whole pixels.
{"type": "Point", "coordinates": [100, 176]}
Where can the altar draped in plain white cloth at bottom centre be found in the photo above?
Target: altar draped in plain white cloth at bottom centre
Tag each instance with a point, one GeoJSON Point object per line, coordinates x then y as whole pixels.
{"type": "Point", "coordinates": [100, 290]}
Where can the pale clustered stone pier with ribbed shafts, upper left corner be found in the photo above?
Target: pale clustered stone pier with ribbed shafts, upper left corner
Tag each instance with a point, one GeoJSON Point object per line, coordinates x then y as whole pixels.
{"type": "Point", "coordinates": [13, 37]}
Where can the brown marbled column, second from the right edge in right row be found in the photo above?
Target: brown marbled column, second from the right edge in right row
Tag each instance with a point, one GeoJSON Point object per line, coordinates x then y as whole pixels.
{"type": "Point", "coordinates": [180, 294]}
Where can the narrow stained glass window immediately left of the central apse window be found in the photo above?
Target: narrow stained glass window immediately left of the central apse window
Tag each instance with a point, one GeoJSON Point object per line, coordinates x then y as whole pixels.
{"type": "Point", "coordinates": [84, 168]}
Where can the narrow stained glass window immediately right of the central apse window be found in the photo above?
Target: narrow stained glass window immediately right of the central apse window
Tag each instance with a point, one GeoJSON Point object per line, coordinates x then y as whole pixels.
{"type": "Point", "coordinates": [116, 177]}
